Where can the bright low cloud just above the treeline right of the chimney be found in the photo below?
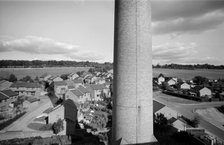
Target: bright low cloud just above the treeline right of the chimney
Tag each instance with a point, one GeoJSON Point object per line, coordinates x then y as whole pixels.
{"type": "Point", "coordinates": [180, 53]}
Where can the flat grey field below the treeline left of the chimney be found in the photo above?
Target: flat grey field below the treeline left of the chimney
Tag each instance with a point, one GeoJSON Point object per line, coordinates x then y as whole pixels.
{"type": "Point", "coordinates": [33, 72]}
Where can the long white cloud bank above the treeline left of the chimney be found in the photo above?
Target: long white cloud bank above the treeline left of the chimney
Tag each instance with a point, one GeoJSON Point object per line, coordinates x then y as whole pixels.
{"type": "Point", "coordinates": [41, 46]}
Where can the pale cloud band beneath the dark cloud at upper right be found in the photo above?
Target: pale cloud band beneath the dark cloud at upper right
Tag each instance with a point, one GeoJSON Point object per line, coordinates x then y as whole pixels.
{"type": "Point", "coordinates": [181, 25]}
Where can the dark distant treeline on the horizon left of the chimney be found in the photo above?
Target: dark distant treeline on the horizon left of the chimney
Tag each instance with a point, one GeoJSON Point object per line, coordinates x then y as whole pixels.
{"type": "Point", "coordinates": [52, 63]}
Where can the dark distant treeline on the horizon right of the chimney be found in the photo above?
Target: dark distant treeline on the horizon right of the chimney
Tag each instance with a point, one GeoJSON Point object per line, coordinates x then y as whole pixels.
{"type": "Point", "coordinates": [189, 66]}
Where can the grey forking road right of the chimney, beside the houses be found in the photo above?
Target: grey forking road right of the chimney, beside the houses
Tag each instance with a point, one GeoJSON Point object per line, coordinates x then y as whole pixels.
{"type": "Point", "coordinates": [188, 110]}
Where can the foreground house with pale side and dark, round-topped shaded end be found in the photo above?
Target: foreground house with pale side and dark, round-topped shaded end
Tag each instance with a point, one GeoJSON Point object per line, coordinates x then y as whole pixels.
{"type": "Point", "coordinates": [67, 112]}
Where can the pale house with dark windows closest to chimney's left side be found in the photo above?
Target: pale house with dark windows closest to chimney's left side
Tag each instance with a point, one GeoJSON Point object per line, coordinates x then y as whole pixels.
{"type": "Point", "coordinates": [97, 90]}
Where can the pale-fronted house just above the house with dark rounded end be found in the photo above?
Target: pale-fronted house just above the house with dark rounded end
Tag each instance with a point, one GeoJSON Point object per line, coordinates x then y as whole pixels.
{"type": "Point", "coordinates": [60, 89]}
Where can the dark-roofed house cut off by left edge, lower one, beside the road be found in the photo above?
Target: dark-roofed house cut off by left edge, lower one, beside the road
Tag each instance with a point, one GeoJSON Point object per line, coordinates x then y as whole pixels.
{"type": "Point", "coordinates": [7, 98]}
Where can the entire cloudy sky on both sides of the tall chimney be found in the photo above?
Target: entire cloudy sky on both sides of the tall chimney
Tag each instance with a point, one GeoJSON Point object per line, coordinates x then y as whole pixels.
{"type": "Point", "coordinates": [184, 31]}
